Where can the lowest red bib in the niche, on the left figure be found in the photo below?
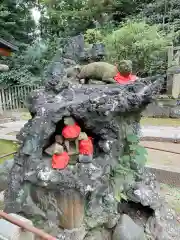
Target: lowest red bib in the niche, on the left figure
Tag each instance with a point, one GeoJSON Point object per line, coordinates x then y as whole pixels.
{"type": "Point", "coordinates": [60, 161]}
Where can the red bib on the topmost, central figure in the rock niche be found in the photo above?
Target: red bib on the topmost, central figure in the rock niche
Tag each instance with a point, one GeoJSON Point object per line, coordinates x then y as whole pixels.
{"type": "Point", "coordinates": [71, 131]}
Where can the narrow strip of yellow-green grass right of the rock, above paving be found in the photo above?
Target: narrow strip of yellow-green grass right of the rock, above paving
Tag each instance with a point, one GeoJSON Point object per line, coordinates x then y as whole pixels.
{"type": "Point", "coordinates": [160, 122]}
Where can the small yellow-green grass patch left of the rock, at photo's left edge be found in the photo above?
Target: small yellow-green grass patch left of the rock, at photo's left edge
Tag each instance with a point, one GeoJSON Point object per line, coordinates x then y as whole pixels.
{"type": "Point", "coordinates": [6, 147]}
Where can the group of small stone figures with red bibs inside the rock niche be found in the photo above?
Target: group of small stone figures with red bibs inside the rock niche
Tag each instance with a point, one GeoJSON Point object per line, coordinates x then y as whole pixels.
{"type": "Point", "coordinates": [72, 145]}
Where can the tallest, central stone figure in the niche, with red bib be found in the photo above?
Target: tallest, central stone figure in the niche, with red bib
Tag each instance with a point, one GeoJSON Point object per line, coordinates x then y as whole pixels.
{"type": "Point", "coordinates": [71, 133]}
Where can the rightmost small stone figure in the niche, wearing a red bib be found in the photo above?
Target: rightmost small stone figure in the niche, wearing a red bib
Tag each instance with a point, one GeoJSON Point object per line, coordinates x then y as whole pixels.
{"type": "Point", "coordinates": [85, 148]}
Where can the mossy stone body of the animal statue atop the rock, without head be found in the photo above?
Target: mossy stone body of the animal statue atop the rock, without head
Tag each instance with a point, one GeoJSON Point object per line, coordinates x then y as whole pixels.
{"type": "Point", "coordinates": [102, 71]}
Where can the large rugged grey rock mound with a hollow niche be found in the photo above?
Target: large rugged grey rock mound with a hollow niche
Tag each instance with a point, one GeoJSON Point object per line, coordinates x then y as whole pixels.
{"type": "Point", "coordinates": [79, 202]}
